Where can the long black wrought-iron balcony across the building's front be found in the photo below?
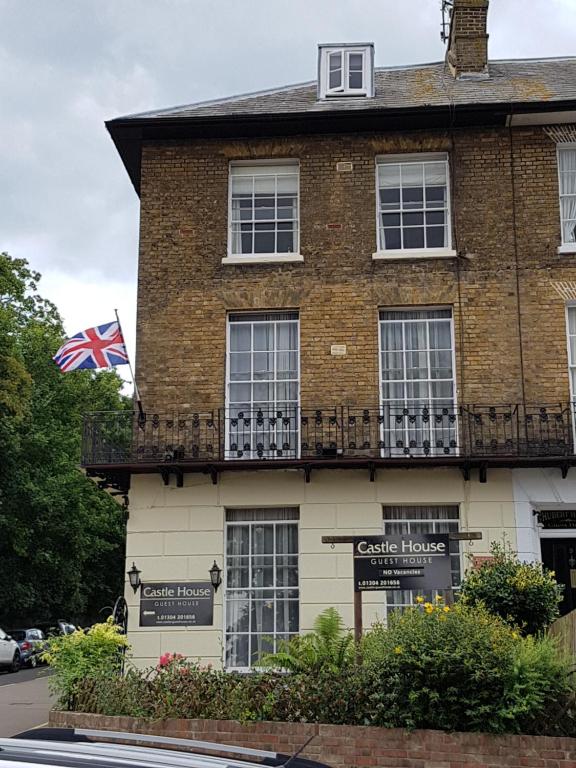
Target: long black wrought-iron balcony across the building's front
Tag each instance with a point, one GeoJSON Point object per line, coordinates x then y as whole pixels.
{"type": "Point", "coordinates": [117, 444]}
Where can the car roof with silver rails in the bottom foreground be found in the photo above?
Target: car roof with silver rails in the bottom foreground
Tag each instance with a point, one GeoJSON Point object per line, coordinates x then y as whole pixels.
{"type": "Point", "coordinates": [79, 748]}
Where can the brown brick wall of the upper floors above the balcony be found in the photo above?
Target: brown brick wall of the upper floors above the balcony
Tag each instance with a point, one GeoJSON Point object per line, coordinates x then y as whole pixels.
{"type": "Point", "coordinates": [185, 291]}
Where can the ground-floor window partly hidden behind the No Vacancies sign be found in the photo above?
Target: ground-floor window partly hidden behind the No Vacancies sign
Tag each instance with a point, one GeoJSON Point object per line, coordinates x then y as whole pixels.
{"type": "Point", "coordinates": [402, 520]}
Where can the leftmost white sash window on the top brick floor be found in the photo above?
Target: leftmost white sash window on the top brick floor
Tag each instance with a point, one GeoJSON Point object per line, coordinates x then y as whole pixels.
{"type": "Point", "coordinates": [264, 209]}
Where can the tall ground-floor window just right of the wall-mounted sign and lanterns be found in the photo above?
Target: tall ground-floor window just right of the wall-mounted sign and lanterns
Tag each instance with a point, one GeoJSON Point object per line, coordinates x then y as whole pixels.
{"type": "Point", "coordinates": [261, 583]}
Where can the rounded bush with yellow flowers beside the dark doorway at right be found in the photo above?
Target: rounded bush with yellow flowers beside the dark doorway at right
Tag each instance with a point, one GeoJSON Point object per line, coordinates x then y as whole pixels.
{"type": "Point", "coordinates": [525, 595]}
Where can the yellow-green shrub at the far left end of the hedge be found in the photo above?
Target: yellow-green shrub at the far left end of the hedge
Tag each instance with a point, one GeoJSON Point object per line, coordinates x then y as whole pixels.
{"type": "Point", "coordinates": [96, 651]}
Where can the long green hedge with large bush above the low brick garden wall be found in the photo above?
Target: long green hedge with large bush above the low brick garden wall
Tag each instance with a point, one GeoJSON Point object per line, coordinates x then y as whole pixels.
{"type": "Point", "coordinates": [455, 668]}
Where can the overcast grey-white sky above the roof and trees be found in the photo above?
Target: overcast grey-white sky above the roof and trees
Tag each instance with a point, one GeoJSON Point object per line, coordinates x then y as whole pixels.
{"type": "Point", "coordinates": [66, 66]}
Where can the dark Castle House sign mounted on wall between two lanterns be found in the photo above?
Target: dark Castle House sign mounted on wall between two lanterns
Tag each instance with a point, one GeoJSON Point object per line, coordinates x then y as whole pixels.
{"type": "Point", "coordinates": [171, 604]}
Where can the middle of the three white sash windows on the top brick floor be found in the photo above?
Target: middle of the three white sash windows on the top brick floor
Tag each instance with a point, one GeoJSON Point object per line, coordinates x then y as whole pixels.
{"type": "Point", "coordinates": [413, 203]}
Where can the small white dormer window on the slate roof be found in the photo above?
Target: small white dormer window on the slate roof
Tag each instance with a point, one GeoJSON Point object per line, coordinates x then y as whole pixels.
{"type": "Point", "coordinates": [345, 69]}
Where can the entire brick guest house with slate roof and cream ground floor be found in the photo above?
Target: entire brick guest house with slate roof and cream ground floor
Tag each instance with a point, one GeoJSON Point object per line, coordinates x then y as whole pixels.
{"type": "Point", "coordinates": [356, 315]}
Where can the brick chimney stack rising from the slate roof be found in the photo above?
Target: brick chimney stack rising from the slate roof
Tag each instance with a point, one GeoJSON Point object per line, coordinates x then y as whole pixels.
{"type": "Point", "coordinates": [467, 54]}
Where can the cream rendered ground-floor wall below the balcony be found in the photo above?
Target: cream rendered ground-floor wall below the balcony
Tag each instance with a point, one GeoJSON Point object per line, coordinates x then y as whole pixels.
{"type": "Point", "coordinates": [177, 533]}
